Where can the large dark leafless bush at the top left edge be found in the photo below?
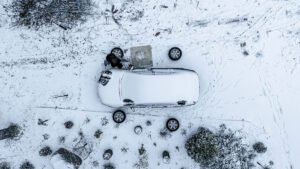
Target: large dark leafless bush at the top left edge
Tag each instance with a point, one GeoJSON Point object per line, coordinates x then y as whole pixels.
{"type": "Point", "coordinates": [37, 13]}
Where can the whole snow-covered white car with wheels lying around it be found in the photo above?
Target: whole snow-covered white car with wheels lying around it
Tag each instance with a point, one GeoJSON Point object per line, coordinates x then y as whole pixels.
{"type": "Point", "coordinates": [156, 87]}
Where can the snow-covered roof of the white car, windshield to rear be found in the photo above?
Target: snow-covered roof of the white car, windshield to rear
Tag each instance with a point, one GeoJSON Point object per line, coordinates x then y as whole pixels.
{"type": "Point", "coordinates": [160, 86]}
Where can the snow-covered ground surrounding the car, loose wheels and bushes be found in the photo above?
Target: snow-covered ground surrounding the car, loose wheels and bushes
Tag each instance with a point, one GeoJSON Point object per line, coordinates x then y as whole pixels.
{"type": "Point", "coordinates": [253, 87]}
